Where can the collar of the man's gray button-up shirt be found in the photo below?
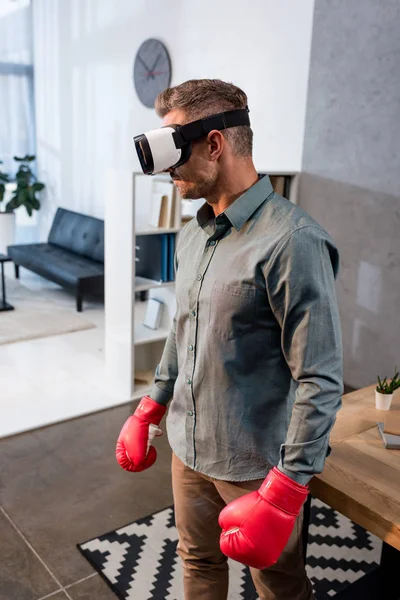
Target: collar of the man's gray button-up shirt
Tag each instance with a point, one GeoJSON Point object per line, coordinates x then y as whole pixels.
{"type": "Point", "coordinates": [243, 207]}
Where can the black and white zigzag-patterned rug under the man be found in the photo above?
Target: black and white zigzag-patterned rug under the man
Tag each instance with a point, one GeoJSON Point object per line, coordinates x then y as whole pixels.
{"type": "Point", "coordinates": [139, 560]}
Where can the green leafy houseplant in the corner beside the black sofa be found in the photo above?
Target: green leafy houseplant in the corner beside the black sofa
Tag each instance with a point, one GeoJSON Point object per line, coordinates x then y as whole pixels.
{"type": "Point", "coordinates": [27, 186]}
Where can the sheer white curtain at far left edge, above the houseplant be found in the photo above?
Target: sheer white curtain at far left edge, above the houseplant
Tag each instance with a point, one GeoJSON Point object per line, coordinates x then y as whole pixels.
{"type": "Point", "coordinates": [17, 131]}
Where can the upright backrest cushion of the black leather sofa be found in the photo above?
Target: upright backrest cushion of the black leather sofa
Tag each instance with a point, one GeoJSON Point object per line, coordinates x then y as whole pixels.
{"type": "Point", "coordinates": [78, 233]}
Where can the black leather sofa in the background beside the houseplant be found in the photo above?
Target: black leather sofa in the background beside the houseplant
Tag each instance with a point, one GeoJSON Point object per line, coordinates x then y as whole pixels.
{"type": "Point", "coordinates": [72, 257]}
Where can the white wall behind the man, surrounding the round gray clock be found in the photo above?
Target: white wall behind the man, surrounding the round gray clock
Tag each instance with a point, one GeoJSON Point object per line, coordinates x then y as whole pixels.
{"type": "Point", "coordinates": [88, 110]}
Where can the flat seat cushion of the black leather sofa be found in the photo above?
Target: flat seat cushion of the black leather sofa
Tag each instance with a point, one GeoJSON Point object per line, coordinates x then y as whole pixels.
{"type": "Point", "coordinates": [67, 268]}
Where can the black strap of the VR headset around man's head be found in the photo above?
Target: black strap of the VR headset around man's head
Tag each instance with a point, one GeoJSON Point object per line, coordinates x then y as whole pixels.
{"type": "Point", "coordinates": [198, 129]}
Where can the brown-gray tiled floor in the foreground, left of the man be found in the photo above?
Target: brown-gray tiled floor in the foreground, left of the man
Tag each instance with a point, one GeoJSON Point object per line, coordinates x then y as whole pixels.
{"type": "Point", "coordinates": [61, 485]}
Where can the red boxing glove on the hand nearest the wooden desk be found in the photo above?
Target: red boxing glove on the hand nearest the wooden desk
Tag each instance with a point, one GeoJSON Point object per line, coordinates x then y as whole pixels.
{"type": "Point", "coordinates": [257, 526]}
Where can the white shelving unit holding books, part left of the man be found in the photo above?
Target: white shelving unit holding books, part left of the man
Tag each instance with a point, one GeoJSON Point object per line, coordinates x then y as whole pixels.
{"type": "Point", "coordinates": [131, 348]}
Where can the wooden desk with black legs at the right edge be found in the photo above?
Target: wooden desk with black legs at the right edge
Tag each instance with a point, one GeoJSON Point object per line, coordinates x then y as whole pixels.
{"type": "Point", "coordinates": [361, 480]}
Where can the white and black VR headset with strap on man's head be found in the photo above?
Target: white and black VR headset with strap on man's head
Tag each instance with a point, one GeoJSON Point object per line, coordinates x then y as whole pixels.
{"type": "Point", "coordinates": [171, 146]}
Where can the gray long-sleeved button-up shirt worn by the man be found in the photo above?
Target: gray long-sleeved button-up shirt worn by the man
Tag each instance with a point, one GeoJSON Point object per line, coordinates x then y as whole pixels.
{"type": "Point", "coordinates": [253, 360]}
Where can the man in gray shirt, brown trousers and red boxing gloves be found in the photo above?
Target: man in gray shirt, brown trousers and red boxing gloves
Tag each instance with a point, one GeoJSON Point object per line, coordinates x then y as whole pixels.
{"type": "Point", "coordinates": [252, 364]}
